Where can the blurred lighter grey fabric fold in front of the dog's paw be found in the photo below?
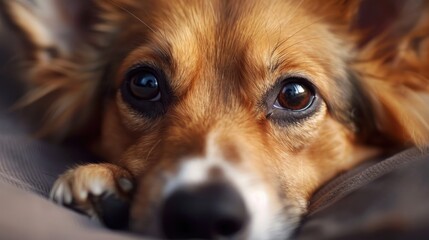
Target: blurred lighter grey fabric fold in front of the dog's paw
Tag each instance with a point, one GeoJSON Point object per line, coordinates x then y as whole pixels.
{"type": "Point", "coordinates": [27, 216]}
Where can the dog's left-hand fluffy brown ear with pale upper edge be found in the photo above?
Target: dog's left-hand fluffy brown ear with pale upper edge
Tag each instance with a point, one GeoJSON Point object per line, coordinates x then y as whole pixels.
{"type": "Point", "coordinates": [64, 42]}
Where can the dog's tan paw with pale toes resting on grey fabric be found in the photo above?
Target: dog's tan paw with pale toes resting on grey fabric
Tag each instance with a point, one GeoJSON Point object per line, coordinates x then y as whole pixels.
{"type": "Point", "coordinates": [91, 188]}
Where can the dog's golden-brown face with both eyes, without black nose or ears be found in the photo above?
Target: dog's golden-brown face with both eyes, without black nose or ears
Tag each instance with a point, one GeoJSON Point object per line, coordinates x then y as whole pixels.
{"type": "Point", "coordinates": [231, 92]}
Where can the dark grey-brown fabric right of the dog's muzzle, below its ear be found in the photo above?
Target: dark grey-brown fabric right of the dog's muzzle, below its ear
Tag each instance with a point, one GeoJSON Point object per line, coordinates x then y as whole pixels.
{"type": "Point", "coordinates": [388, 200]}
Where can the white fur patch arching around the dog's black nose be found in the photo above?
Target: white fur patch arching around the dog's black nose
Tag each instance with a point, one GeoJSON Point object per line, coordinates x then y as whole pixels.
{"type": "Point", "coordinates": [264, 208]}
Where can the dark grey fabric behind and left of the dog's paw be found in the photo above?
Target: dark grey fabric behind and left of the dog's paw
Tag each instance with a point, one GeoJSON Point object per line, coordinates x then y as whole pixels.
{"type": "Point", "coordinates": [33, 164]}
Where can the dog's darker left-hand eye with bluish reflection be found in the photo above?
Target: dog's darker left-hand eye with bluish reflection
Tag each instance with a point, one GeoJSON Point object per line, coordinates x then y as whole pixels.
{"type": "Point", "coordinates": [145, 86]}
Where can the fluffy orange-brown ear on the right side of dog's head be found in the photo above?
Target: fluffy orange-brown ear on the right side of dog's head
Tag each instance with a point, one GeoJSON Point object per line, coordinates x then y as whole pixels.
{"type": "Point", "coordinates": [392, 62]}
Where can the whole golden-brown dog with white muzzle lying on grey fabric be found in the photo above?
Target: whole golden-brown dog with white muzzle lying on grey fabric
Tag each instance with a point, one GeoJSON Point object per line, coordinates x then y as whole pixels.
{"type": "Point", "coordinates": [219, 119]}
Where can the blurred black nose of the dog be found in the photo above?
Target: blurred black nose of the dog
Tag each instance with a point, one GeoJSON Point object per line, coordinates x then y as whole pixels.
{"type": "Point", "coordinates": [210, 211]}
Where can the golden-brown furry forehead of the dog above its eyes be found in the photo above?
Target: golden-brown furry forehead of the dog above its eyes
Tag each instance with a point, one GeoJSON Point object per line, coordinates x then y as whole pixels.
{"type": "Point", "coordinates": [245, 45]}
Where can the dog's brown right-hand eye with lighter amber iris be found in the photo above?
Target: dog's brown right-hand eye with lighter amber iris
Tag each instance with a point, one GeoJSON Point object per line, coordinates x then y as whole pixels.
{"type": "Point", "coordinates": [295, 96]}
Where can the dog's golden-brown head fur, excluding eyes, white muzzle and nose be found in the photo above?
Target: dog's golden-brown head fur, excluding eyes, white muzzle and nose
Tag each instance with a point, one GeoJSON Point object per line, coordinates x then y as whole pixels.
{"type": "Point", "coordinates": [221, 58]}
